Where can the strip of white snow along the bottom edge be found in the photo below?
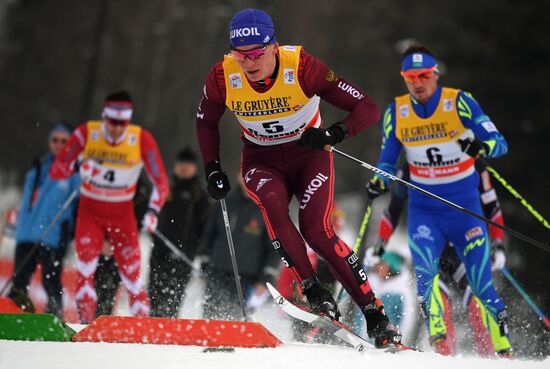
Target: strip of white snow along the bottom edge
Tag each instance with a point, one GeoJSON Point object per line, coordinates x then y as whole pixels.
{"type": "Point", "coordinates": [46, 355]}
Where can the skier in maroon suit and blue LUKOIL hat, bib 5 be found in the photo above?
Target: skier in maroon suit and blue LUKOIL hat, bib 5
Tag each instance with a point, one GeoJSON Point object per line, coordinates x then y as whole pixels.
{"type": "Point", "coordinates": [274, 92]}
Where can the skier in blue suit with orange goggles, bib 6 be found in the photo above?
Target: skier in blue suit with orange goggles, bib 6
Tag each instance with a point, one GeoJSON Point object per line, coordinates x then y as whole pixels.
{"type": "Point", "coordinates": [443, 131]}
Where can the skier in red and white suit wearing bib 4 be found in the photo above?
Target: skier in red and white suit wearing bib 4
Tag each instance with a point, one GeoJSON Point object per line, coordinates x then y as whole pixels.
{"type": "Point", "coordinates": [112, 152]}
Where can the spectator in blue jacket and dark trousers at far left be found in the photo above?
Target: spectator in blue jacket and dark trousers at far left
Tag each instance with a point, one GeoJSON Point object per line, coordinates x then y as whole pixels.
{"type": "Point", "coordinates": [42, 200]}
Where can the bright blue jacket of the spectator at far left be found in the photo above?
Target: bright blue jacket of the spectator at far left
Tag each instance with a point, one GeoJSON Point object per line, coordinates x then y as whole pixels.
{"type": "Point", "coordinates": [35, 216]}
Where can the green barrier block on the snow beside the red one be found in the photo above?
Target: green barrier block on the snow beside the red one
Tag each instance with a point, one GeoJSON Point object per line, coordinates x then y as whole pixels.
{"type": "Point", "coordinates": [34, 327]}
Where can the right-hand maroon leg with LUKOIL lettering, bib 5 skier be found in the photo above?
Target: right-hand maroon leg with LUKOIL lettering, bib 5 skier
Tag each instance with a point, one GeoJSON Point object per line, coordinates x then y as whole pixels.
{"type": "Point", "coordinates": [313, 185]}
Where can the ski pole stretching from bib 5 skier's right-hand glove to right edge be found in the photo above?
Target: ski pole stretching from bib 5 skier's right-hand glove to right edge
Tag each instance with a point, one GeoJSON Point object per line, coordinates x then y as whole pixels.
{"type": "Point", "coordinates": [379, 171]}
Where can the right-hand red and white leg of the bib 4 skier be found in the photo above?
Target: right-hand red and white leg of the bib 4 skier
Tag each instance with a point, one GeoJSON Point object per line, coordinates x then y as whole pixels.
{"type": "Point", "coordinates": [123, 236]}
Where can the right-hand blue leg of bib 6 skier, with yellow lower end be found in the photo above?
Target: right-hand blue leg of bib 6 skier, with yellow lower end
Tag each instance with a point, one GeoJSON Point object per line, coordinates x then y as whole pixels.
{"type": "Point", "coordinates": [471, 241]}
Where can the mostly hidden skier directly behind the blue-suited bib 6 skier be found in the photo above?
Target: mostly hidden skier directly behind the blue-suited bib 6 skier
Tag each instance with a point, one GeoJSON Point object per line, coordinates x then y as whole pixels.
{"type": "Point", "coordinates": [452, 273]}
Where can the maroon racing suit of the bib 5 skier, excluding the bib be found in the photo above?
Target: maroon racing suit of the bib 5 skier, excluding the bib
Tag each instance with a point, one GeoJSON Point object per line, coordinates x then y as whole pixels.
{"type": "Point", "coordinates": [274, 173]}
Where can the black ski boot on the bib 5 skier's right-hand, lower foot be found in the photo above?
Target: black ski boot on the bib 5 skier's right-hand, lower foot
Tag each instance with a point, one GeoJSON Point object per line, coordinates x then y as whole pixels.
{"type": "Point", "coordinates": [379, 326]}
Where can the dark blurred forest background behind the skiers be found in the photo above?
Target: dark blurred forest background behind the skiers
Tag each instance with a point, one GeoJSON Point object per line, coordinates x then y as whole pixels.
{"type": "Point", "coordinates": [58, 60]}
